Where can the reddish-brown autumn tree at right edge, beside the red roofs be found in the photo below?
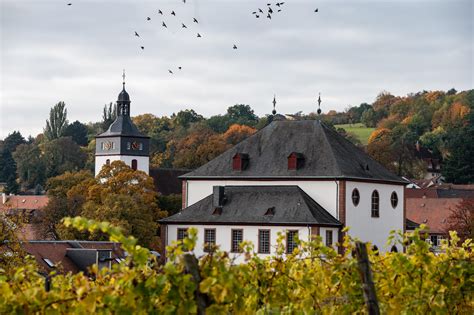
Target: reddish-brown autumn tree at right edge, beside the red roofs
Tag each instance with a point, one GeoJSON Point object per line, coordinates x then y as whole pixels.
{"type": "Point", "coordinates": [461, 219]}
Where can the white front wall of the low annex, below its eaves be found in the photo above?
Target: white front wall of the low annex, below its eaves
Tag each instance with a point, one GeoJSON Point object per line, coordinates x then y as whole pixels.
{"type": "Point", "coordinates": [250, 233]}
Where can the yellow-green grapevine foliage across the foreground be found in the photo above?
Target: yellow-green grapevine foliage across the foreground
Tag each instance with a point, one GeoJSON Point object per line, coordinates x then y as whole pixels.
{"type": "Point", "coordinates": [313, 279]}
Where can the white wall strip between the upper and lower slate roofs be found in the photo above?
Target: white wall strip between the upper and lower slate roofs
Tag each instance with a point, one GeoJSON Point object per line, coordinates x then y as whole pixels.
{"type": "Point", "coordinates": [323, 192]}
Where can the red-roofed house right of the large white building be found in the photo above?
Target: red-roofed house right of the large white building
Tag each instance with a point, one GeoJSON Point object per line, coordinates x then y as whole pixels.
{"type": "Point", "coordinates": [433, 206]}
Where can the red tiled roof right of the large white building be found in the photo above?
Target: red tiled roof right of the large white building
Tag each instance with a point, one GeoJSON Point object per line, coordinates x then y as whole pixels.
{"type": "Point", "coordinates": [431, 211]}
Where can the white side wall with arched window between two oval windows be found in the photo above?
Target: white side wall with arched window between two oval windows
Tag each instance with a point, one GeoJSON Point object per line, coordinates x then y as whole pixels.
{"type": "Point", "coordinates": [358, 218]}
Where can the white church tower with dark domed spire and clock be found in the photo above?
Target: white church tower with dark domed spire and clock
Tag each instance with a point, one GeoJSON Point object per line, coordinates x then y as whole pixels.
{"type": "Point", "coordinates": [122, 141]}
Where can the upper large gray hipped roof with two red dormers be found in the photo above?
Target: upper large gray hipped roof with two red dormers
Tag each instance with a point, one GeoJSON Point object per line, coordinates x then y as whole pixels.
{"type": "Point", "coordinates": [327, 155]}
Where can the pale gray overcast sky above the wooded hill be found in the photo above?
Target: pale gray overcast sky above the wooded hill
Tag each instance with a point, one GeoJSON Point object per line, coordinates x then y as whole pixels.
{"type": "Point", "coordinates": [349, 51]}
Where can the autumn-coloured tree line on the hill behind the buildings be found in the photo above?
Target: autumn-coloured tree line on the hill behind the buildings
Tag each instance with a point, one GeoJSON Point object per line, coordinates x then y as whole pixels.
{"type": "Point", "coordinates": [439, 121]}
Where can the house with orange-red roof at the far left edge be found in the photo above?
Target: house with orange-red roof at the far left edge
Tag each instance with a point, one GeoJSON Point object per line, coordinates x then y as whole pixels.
{"type": "Point", "coordinates": [29, 206]}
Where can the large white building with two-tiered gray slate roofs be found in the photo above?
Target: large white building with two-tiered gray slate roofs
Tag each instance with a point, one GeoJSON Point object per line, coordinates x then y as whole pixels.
{"type": "Point", "coordinates": [300, 178]}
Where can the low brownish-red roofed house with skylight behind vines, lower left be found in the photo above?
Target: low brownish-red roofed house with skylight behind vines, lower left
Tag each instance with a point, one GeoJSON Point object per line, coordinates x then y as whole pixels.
{"type": "Point", "coordinates": [73, 256]}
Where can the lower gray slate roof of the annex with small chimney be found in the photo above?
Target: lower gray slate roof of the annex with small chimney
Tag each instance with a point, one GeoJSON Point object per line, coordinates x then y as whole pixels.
{"type": "Point", "coordinates": [248, 205]}
